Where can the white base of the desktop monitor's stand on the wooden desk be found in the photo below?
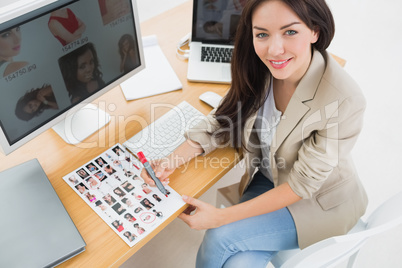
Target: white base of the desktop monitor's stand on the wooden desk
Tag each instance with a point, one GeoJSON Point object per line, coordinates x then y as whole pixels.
{"type": "Point", "coordinates": [78, 126]}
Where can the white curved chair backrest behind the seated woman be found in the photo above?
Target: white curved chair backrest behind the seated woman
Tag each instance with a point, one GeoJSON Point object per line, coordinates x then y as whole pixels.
{"type": "Point", "coordinates": [332, 251]}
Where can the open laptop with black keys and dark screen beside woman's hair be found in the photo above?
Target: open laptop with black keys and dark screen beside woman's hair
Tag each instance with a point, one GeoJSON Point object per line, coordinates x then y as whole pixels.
{"type": "Point", "coordinates": [213, 30]}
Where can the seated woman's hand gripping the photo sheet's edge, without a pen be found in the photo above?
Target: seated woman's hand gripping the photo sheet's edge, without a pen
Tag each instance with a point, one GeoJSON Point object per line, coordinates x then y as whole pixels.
{"type": "Point", "coordinates": [206, 216]}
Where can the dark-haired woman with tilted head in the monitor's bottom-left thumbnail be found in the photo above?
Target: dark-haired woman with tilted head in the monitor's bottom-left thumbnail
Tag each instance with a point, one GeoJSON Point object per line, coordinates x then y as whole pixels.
{"type": "Point", "coordinates": [34, 102]}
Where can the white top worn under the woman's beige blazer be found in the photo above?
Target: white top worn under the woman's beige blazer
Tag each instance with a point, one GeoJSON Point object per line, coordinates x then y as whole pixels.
{"type": "Point", "coordinates": [267, 120]}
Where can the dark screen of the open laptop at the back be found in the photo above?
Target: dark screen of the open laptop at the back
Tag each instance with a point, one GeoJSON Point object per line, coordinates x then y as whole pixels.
{"type": "Point", "coordinates": [215, 21]}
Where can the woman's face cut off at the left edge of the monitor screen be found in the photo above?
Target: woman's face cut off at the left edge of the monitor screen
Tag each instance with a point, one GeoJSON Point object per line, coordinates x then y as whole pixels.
{"type": "Point", "coordinates": [10, 44]}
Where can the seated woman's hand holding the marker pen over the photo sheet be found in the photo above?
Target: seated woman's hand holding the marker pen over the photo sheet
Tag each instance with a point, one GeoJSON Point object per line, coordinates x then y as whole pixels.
{"type": "Point", "coordinates": [162, 168]}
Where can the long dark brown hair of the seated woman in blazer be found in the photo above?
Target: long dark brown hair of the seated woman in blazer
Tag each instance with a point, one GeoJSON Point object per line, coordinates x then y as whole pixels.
{"type": "Point", "coordinates": [249, 73]}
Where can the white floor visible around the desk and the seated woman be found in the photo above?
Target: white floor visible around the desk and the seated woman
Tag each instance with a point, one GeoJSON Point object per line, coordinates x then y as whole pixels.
{"type": "Point", "coordinates": [367, 36]}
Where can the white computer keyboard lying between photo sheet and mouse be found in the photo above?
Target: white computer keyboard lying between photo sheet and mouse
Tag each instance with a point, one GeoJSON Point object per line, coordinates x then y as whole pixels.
{"type": "Point", "coordinates": [165, 134]}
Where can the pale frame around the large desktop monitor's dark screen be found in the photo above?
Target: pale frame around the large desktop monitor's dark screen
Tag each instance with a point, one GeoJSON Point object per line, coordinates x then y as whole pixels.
{"type": "Point", "coordinates": [5, 146]}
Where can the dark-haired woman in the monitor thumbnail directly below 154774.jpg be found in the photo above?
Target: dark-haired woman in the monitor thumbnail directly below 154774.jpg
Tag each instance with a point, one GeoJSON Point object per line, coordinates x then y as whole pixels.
{"type": "Point", "coordinates": [81, 72]}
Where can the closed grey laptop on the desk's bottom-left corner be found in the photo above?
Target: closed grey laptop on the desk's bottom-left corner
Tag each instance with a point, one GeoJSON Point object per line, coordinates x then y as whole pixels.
{"type": "Point", "coordinates": [35, 228]}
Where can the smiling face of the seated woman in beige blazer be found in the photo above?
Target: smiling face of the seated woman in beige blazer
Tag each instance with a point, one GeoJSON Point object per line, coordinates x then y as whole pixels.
{"type": "Point", "coordinates": [282, 40]}
